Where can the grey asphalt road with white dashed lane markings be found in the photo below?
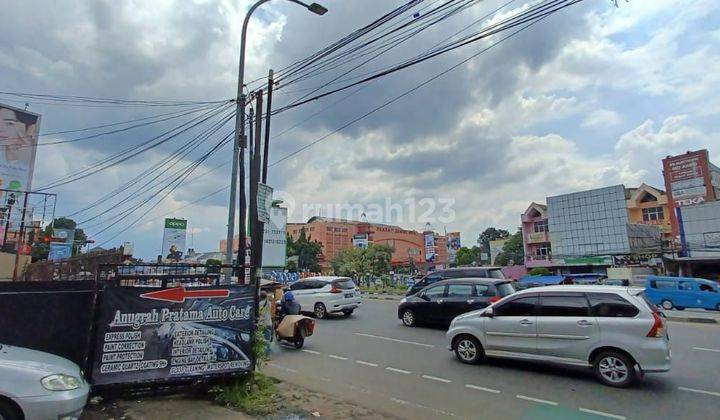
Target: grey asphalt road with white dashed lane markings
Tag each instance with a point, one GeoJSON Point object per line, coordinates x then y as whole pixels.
{"type": "Point", "coordinates": [373, 360]}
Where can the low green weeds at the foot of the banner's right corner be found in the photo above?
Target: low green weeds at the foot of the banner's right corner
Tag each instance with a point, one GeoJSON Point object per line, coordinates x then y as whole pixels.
{"type": "Point", "coordinates": [254, 393]}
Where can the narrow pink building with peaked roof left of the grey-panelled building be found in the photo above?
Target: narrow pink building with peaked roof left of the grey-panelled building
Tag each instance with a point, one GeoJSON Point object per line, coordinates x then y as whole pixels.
{"type": "Point", "coordinates": [536, 237]}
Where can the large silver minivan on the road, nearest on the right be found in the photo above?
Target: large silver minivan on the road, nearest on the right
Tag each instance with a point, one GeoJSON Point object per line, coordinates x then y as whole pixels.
{"type": "Point", "coordinates": [615, 330]}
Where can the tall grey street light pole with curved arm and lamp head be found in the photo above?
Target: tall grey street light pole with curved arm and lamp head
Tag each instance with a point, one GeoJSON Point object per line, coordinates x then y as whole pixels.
{"type": "Point", "coordinates": [238, 163]}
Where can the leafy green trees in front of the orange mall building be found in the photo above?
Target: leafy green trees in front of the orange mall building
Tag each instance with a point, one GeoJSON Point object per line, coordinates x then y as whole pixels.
{"type": "Point", "coordinates": [356, 262]}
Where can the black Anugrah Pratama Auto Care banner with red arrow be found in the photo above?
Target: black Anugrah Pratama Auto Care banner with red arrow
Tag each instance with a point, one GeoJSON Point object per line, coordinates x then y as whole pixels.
{"type": "Point", "coordinates": [150, 334]}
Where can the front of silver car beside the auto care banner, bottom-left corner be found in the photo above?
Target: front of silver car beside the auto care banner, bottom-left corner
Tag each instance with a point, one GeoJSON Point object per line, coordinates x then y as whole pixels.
{"type": "Point", "coordinates": [38, 385]}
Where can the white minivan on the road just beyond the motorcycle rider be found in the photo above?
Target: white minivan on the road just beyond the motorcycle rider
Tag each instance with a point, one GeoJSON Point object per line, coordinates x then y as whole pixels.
{"type": "Point", "coordinates": [326, 294]}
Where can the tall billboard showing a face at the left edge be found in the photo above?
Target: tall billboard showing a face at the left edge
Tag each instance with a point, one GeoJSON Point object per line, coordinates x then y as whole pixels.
{"type": "Point", "coordinates": [18, 145]}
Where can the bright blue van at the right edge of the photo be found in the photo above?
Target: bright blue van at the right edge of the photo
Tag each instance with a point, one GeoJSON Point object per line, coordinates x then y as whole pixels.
{"type": "Point", "coordinates": [682, 292]}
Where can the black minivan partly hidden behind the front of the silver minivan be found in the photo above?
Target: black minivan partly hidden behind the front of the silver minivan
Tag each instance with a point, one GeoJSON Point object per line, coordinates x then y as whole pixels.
{"type": "Point", "coordinates": [444, 300]}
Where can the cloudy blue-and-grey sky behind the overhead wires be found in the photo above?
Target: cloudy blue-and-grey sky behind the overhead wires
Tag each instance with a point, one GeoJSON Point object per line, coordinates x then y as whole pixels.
{"type": "Point", "coordinates": [593, 96]}
